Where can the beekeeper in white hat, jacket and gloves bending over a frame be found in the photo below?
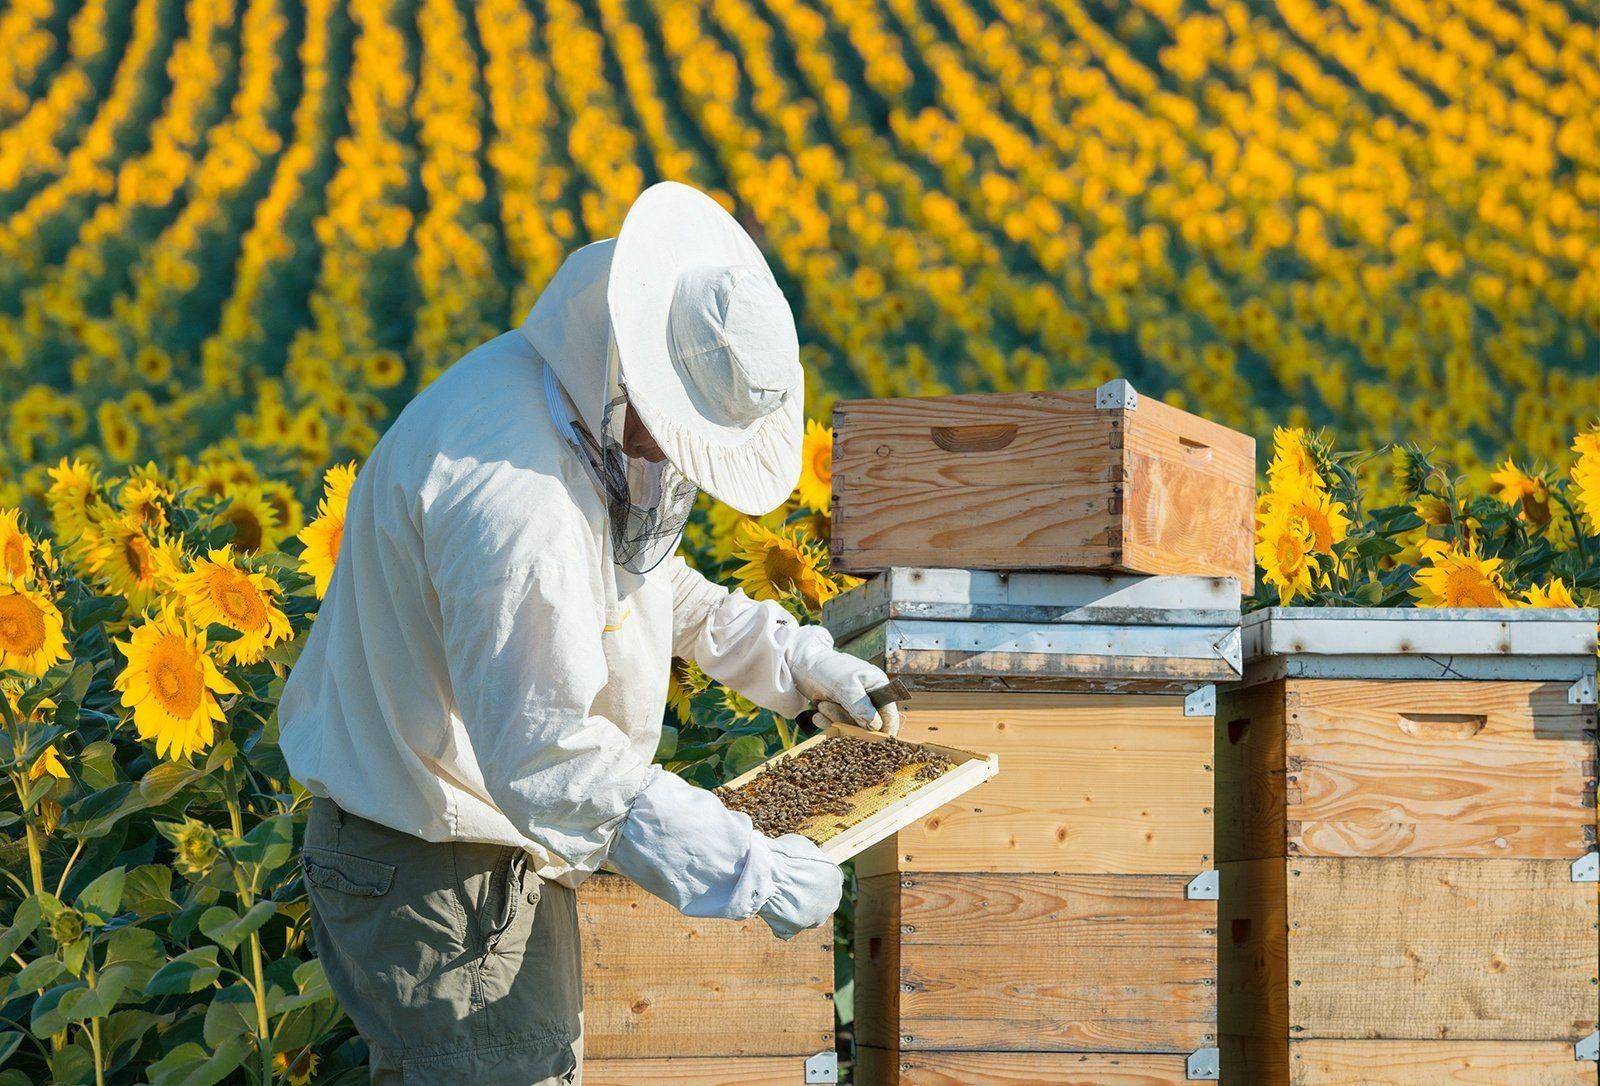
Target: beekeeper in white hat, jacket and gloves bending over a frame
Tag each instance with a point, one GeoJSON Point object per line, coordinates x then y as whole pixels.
{"type": "Point", "coordinates": [479, 703]}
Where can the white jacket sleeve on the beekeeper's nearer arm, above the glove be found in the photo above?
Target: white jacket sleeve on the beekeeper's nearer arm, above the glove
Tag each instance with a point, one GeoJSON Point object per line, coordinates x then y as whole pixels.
{"type": "Point", "coordinates": [524, 650]}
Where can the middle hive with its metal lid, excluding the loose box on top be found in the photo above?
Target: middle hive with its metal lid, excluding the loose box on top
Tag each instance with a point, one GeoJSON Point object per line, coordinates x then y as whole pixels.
{"type": "Point", "coordinates": [1057, 924]}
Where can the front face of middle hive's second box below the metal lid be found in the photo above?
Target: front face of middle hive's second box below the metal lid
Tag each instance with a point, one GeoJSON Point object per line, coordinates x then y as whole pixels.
{"type": "Point", "coordinates": [1055, 964]}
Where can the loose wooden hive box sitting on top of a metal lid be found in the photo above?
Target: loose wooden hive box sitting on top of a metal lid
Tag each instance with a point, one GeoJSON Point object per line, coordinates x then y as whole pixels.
{"type": "Point", "coordinates": [1095, 481]}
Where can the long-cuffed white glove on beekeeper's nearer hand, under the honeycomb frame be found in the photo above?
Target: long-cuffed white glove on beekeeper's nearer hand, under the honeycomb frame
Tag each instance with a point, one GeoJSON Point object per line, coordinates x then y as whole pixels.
{"type": "Point", "coordinates": [682, 845]}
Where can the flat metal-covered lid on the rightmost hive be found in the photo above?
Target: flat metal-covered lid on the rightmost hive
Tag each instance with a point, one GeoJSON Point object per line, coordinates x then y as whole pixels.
{"type": "Point", "coordinates": [1508, 644]}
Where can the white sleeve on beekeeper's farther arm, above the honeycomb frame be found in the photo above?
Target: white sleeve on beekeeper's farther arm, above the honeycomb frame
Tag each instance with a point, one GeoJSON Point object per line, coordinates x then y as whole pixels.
{"type": "Point", "coordinates": [738, 642]}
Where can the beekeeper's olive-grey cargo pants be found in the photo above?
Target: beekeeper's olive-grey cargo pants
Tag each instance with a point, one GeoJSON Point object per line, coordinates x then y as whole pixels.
{"type": "Point", "coordinates": [454, 960]}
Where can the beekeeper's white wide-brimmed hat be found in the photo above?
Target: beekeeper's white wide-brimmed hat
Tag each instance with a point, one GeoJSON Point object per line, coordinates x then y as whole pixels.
{"type": "Point", "coordinates": [708, 348]}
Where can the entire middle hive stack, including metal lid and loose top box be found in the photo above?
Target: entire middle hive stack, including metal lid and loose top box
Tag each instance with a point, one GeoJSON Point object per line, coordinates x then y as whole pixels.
{"type": "Point", "coordinates": [1057, 925]}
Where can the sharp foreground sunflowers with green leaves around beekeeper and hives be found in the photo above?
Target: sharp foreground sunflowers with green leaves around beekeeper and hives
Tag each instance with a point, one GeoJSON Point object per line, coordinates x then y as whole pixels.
{"type": "Point", "coordinates": [156, 924]}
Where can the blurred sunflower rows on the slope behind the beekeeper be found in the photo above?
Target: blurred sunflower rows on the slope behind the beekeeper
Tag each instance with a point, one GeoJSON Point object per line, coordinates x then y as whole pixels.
{"type": "Point", "coordinates": [254, 228]}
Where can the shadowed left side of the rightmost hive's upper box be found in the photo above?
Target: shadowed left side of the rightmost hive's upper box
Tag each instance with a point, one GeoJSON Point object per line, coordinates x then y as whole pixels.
{"type": "Point", "coordinates": [1250, 773]}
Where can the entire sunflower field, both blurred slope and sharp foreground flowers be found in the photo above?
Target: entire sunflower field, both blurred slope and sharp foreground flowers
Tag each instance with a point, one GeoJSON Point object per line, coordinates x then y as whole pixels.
{"type": "Point", "coordinates": [238, 236]}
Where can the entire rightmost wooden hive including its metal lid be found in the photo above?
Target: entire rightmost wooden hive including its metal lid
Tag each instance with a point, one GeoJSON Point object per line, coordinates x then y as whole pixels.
{"type": "Point", "coordinates": [1407, 848]}
